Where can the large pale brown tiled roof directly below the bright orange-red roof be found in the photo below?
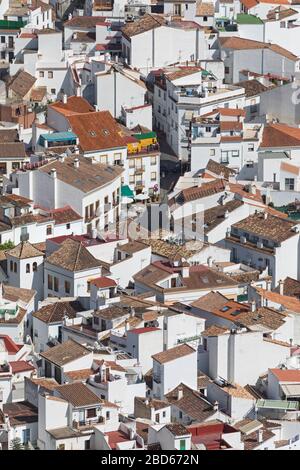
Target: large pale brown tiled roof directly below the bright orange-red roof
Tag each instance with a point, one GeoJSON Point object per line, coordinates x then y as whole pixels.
{"type": "Point", "coordinates": [87, 177]}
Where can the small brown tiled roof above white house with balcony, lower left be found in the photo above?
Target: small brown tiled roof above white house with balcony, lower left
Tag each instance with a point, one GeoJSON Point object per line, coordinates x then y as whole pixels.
{"type": "Point", "coordinates": [78, 394]}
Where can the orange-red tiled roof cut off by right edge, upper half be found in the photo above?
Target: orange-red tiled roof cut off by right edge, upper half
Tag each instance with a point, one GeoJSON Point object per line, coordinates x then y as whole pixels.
{"type": "Point", "coordinates": [280, 135]}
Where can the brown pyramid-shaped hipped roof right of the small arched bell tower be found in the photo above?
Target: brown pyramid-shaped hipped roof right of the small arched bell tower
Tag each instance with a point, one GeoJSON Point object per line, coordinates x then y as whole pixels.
{"type": "Point", "coordinates": [73, 256]}
